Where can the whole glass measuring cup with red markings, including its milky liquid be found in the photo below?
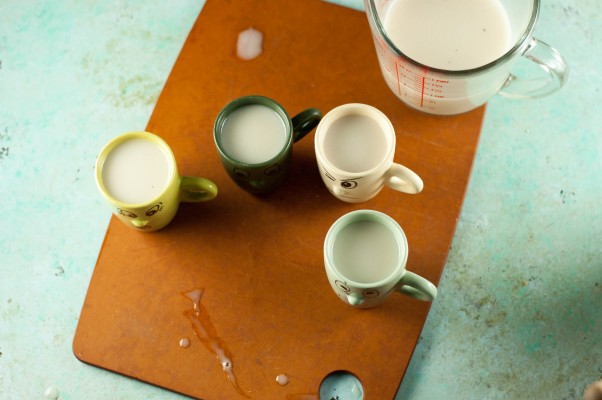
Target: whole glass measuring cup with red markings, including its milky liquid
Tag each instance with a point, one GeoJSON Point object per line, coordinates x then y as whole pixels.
{"type": "Point", "coordinates": [448, 57]}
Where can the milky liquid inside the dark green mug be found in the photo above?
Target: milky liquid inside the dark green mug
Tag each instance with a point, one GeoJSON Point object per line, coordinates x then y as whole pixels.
{"type": "Point", "coordinates": [253, 134]}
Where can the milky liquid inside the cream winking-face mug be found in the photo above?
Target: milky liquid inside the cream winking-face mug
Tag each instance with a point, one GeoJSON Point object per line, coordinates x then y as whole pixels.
{"type": "Point", "coordinates": [355, 143]}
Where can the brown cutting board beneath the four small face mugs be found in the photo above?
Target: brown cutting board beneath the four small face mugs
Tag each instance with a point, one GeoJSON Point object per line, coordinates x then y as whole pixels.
{"type": "Point", "coordinates": [266, 301]}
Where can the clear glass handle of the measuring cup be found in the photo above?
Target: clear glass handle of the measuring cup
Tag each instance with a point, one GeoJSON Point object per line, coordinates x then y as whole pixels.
{"type": "Point", "coordinates": [550, 61]}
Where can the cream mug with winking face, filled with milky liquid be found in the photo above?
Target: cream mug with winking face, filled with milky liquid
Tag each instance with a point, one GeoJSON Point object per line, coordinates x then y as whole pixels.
{"type": "Point", "coordinates": [355, 146]}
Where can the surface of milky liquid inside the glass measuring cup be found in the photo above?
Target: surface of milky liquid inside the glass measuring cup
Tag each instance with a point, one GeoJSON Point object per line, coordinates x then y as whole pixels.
{"type": "Point", "coordinates": [449, 34]}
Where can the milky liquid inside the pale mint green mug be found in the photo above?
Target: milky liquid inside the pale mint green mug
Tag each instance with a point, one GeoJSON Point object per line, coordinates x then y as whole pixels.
{"type": "Point", "coordinates": [366, 252]}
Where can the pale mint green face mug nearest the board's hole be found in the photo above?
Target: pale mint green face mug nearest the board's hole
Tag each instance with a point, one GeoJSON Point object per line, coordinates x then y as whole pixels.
{"type": "Point", "coordinates": [365, 255]}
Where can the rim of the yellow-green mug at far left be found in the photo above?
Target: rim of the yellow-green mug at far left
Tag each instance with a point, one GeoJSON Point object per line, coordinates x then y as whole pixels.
{"type": "Point", "coordinates": [116, 141]}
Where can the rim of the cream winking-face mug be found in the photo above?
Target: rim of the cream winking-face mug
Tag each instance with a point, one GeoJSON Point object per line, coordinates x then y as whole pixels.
{"type": "Point", "coordinates": [355, 109]}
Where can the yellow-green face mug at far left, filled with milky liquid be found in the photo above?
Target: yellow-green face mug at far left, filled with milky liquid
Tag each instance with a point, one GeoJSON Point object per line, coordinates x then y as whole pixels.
{"type": "Point", "coordinates": [137, 175]}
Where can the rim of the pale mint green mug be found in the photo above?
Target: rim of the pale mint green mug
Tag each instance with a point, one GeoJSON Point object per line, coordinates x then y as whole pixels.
{"type": "Point", "coordinates": [370, 215]}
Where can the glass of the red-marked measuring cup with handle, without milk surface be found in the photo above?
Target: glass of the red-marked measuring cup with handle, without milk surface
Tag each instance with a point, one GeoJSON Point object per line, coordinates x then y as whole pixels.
{"type": "Point", "coordinates": [447, 92]}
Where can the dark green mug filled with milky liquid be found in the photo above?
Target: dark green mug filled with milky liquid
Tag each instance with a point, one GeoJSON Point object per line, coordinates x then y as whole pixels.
{"type": "Point", "coordinates": [254, 137]}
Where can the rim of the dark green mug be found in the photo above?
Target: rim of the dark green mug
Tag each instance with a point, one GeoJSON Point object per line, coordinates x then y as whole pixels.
{"type": "Point", "coordinates": [242, 101]}
